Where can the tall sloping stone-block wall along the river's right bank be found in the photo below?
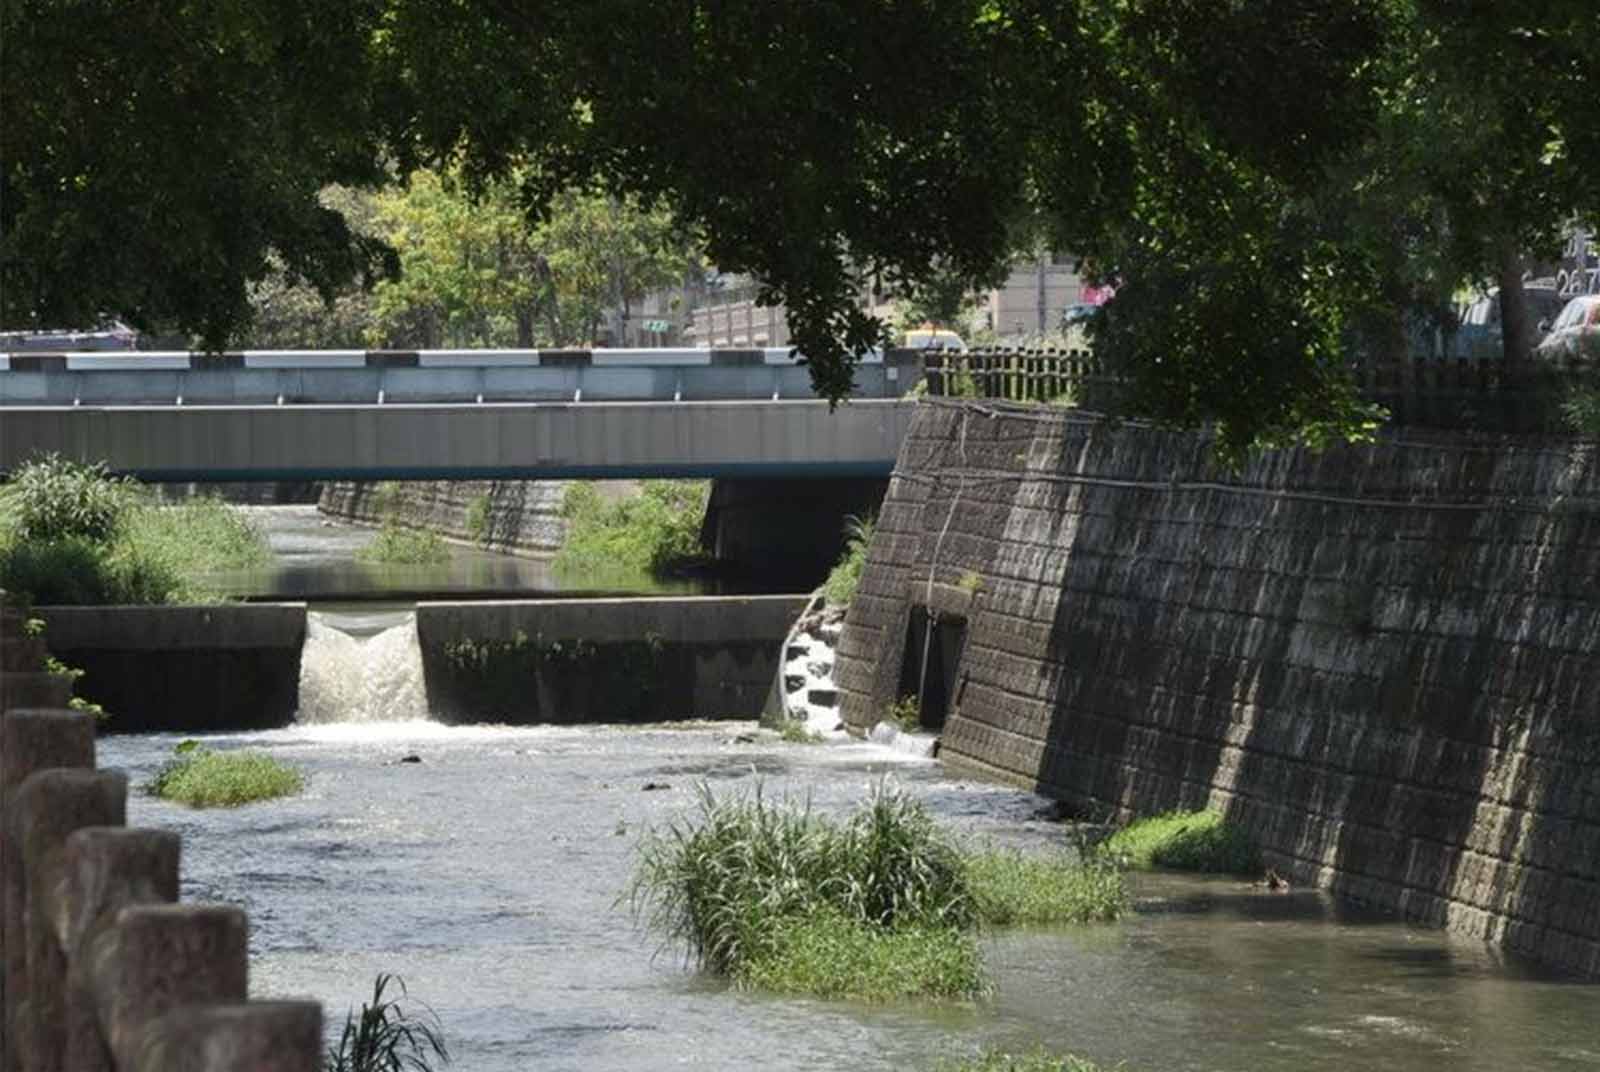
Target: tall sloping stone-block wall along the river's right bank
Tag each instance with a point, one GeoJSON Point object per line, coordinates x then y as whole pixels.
{"type": "Point", "coordinates": [1380, 660]}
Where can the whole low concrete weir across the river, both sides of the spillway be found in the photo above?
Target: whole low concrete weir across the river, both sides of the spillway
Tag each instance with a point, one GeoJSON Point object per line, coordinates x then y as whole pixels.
{"type": "Point", "coordinates": [193, 670]}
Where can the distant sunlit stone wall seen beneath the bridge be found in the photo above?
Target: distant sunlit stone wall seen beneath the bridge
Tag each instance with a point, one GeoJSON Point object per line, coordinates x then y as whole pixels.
{"type": "Point", "coordinates": [514, 516]}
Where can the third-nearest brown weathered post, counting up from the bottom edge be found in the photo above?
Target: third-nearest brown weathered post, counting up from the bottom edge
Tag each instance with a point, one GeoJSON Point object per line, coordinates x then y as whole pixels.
{"type": "Point", "coordinates": [106, 870]}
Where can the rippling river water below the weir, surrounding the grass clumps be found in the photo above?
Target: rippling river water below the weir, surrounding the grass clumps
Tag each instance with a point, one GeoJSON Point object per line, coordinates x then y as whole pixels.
{"type": "Point", "coordinates": [489, 874]}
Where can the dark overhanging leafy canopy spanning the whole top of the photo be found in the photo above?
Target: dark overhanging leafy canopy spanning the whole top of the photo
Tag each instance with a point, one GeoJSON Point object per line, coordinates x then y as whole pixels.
{"type": "Point", "coordinates": [1230, 162]}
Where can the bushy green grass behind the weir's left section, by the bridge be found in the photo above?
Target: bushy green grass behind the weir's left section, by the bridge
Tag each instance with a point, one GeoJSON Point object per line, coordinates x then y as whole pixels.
{"type": "Point", "coordinates": [74, 535]}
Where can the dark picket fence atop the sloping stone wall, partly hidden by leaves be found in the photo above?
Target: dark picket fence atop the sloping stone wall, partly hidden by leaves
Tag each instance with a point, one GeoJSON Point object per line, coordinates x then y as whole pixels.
{"type": "Point", "coordinates": [1462, 394]}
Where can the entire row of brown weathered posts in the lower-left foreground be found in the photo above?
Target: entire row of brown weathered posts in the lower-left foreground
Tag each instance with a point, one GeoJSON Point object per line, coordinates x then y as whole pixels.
{"type": "Point", "coordinates": [103, 969]}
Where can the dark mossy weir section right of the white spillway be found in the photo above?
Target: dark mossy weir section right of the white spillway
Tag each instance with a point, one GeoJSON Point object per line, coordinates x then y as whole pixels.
{"type": "Point", "coordinates": [630, 660]}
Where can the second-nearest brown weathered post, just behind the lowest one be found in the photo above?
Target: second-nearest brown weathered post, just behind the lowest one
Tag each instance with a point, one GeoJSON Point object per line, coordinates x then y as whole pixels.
{"type": "Point", "coordinates": [159, 959]}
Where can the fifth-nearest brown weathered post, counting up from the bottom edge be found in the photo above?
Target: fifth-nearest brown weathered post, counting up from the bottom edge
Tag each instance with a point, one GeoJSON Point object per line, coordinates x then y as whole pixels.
{"type": "Point", "coordinates": [30, 742]}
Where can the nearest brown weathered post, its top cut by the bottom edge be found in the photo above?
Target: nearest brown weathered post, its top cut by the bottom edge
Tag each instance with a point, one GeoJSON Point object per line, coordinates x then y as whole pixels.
{"type": "Point", "coordinates": [262, 1038]}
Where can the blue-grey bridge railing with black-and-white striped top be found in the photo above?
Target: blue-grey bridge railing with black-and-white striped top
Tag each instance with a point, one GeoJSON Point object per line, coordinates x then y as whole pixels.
{"type": "Point", "coordinates": [428, 377]}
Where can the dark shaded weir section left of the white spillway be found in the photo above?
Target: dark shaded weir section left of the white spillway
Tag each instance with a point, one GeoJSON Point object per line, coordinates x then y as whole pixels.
{"type": "Point", "coordinates": [185, 668]}
